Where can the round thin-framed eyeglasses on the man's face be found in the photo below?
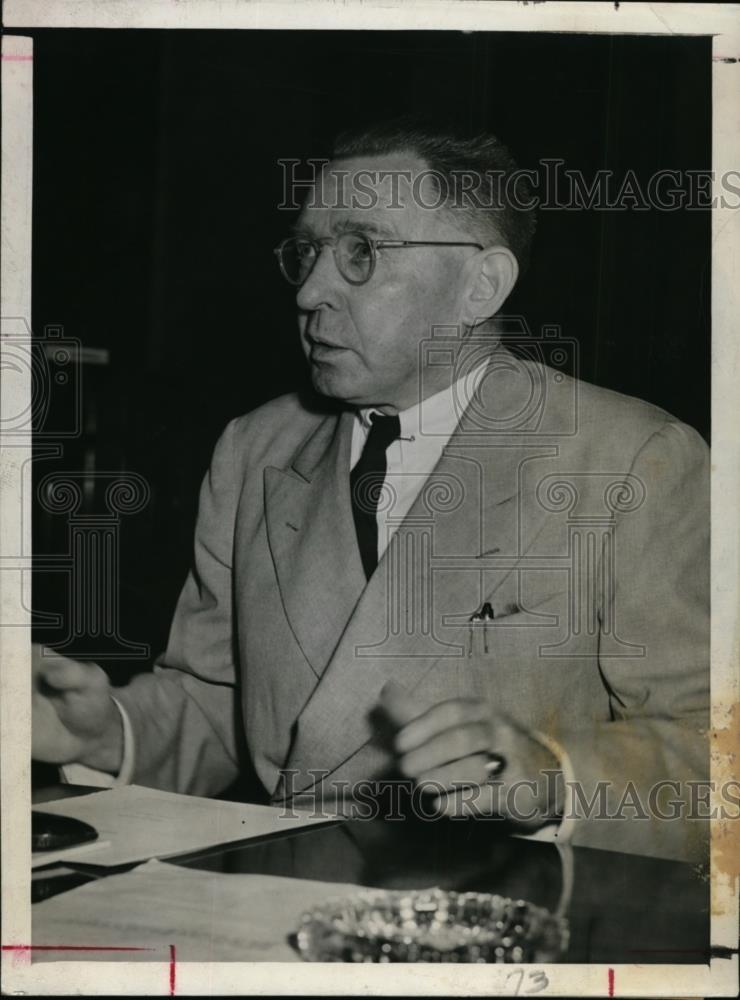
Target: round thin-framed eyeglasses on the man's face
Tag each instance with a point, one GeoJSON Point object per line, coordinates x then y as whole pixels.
{"type": "Point", "coordinates": [355, 254]}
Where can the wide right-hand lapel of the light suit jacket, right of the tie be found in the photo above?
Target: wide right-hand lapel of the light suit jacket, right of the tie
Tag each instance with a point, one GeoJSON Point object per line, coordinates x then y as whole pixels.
{"type": "Point", "coordinates": [409, 617]}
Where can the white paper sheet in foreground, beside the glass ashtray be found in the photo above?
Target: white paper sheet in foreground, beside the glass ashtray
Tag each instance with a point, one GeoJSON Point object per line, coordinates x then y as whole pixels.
{"type": "Point", "coordinates": [206, 916]}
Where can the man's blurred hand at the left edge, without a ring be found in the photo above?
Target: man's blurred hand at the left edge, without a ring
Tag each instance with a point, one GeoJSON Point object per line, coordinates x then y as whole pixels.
{"type": "Point", "coordinates": [75, 720]}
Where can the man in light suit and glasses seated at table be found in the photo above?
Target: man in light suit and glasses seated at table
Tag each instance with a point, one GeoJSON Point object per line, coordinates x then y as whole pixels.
{"type": "Point", "coordinates": [506, 567]}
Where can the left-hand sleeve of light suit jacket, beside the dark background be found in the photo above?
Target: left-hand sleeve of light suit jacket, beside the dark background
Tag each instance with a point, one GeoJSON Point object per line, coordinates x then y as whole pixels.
{"type": "Point", "coordinates": [185, 716]}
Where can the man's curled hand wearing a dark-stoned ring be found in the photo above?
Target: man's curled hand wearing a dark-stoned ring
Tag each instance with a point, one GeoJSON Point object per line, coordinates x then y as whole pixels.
{"type": "Point", "coordinates": [487, 764]}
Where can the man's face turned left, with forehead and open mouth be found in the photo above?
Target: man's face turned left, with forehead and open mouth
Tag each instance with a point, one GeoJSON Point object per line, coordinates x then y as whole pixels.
{"type": "Point", "coordinates": [362, 341]}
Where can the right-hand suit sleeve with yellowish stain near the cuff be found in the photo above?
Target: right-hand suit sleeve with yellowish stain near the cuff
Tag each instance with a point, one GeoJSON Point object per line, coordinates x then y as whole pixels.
{"type": "Point", "coordinates": [655, 745]}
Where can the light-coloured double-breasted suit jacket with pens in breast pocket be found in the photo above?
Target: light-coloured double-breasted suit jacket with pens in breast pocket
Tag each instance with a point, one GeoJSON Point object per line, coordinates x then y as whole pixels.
{"type": "Point", "coordinates": [580, 514]}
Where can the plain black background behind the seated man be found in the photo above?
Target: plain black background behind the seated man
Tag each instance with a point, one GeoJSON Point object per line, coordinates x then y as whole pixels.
{"type": "Point", "coordinates": [155, 212]}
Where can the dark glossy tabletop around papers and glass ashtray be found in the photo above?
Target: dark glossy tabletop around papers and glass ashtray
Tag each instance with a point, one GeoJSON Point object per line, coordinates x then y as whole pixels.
{"type": "Point", "coordinates": [623, 909]}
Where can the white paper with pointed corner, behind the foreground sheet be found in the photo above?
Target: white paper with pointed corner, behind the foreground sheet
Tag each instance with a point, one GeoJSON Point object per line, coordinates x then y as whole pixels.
{"type": "Point", "coordinates": [136, 824]}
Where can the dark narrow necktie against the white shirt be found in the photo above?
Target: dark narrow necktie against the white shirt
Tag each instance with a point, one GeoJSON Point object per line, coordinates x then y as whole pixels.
{"type": "Point", "coordinates": [366, 485]}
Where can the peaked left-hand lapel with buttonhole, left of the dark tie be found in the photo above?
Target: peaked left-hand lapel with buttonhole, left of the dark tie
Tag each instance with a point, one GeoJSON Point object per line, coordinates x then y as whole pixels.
{"type": "Point", "coordinates": [312, 539]}
